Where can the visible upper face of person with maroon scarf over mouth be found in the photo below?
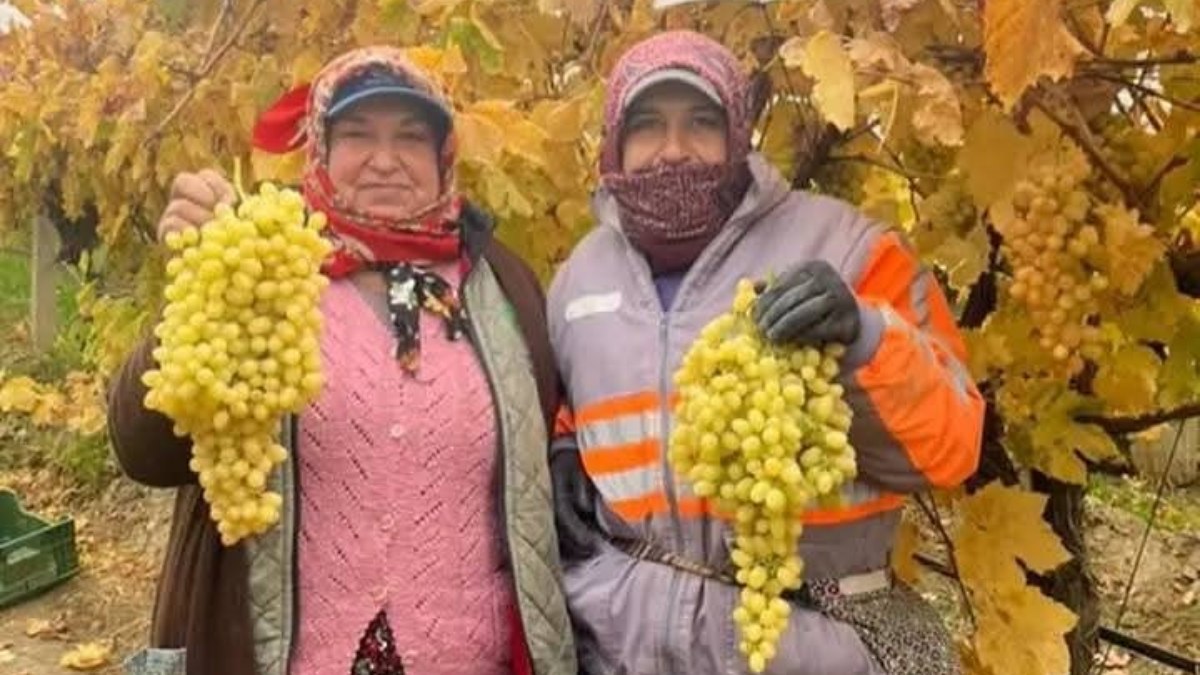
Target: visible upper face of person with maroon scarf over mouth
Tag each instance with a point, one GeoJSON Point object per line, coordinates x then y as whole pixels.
{"type": "Point", "coordinates": [673, 124]}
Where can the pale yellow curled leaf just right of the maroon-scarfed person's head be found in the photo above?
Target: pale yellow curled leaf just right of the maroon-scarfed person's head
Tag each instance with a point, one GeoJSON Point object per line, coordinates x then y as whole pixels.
{"type": "Point", "coordinates": [826, 61]}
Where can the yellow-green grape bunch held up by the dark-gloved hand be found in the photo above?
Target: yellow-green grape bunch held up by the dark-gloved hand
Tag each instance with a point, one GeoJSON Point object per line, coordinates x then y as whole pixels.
{"type": "Point", "coordinates": [763, 432]}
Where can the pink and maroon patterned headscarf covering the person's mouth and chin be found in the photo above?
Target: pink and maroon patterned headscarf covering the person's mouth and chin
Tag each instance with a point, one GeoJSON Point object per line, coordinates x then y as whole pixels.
{"type": "Point", "coordinates": [673, 213]}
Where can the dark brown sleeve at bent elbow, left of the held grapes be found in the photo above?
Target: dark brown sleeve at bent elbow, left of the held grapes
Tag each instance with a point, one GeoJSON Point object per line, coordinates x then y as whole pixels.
{"type": "Point", "coordinates": [146, 447]}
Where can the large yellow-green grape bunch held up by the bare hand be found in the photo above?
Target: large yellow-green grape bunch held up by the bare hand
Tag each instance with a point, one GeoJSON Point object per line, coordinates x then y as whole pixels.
{"type": "Point", "coordinates": [238, 348]}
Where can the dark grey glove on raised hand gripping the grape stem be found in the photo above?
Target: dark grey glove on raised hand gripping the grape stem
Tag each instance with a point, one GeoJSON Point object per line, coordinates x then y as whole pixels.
{"type": "Point", "coordinates": [809, 304]}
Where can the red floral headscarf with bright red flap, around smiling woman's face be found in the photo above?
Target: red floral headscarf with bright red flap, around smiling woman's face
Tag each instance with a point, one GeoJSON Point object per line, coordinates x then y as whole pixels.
{"type": "Point", "coordinates": [298, 120]}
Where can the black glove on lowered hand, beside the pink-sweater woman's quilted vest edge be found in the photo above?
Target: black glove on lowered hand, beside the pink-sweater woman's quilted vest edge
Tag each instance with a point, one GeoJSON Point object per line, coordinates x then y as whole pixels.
{"type": "Point", "coordinates": [575, 504]}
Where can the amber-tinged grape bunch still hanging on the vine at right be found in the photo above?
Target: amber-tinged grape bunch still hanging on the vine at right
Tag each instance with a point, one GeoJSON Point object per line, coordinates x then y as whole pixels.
{"type": "Point", "coordinates": [1049, 243]}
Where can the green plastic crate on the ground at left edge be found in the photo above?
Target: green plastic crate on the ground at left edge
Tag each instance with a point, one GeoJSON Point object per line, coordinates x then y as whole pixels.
{"type": "Point", "coordinates": [35, 555]}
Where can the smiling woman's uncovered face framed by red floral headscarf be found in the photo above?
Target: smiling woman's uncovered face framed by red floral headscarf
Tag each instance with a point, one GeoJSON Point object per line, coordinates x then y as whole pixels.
{"type": "Point", "coordinates": [383, 159]}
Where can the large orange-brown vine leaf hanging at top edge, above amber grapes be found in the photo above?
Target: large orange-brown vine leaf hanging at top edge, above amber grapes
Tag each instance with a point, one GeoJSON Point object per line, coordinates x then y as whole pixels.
{"type": "Point", "coordinates": [1024, 41]}
